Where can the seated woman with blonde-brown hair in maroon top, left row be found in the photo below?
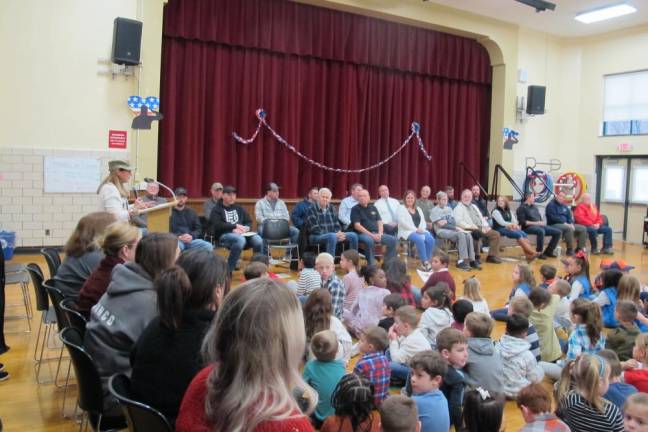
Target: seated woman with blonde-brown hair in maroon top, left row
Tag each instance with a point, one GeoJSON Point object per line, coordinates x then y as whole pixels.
{"type": "Point", "coordinates": [118, 244]}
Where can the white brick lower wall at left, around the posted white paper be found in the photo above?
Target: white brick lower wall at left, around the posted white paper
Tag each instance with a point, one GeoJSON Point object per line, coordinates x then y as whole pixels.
{"type": "Point", "coordinates": [27, 210]}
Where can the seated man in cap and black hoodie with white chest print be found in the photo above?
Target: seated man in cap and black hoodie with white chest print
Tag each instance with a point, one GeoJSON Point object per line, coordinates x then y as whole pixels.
{"type": "Point", "coordinates": [230, 224]}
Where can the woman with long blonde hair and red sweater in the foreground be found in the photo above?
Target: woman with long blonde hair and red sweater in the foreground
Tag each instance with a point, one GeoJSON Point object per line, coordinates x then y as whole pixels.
{"type": "Point", "coordinates": [253, 350]}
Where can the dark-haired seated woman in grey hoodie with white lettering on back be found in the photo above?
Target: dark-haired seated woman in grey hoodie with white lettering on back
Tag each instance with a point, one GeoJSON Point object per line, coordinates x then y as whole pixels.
{"type": "Point", "coordinates": [127, 307]}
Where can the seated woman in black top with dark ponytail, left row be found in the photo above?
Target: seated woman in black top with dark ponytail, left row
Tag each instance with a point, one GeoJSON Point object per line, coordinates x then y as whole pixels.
{"type": "Point", "coordinates": [167, 355]}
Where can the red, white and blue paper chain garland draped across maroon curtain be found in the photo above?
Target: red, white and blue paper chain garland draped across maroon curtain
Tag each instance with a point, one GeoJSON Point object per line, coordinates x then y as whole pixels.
{"type": "Point", "coordinates": [261, 114]}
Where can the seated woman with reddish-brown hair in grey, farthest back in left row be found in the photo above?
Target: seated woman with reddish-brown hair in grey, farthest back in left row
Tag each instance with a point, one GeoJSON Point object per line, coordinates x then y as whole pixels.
{"type": "Point", "coordinates": [82, 253]}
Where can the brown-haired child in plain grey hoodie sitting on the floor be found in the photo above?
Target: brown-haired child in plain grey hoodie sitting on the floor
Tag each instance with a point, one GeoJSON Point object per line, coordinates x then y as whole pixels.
{"type": "Point", "coordinates": [484, 367]}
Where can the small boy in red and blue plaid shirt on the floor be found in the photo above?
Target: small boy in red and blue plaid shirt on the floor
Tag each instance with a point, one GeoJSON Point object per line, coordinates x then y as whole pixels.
{"type": "Point", "coordinates": [373, 364]}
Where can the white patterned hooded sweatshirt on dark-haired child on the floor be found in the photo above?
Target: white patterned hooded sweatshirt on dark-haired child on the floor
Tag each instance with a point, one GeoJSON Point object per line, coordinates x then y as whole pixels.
{"type": "Point", "coordinates": [520, 366]}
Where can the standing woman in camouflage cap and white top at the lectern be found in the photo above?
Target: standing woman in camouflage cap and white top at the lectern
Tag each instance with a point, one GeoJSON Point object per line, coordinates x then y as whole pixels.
{"type": "Point", "coordinates": [113, 197]}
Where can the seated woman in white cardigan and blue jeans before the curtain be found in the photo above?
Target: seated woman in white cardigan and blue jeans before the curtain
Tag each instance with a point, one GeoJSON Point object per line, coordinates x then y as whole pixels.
{"type": "Point", "coordinates": [412, 227]}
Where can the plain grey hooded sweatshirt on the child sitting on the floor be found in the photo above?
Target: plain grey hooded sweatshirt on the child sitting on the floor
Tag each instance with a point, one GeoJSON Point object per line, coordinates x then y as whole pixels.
{"type": "Point", "coordinates": [484, 367]}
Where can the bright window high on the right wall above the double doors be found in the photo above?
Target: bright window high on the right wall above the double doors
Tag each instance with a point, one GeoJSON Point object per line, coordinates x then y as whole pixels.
{"type": "Point", "coordinates": [625, 110]}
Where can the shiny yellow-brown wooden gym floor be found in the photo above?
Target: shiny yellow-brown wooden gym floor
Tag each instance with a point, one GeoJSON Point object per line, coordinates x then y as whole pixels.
{"type": "Point", "coordinates": [26, 406]}
